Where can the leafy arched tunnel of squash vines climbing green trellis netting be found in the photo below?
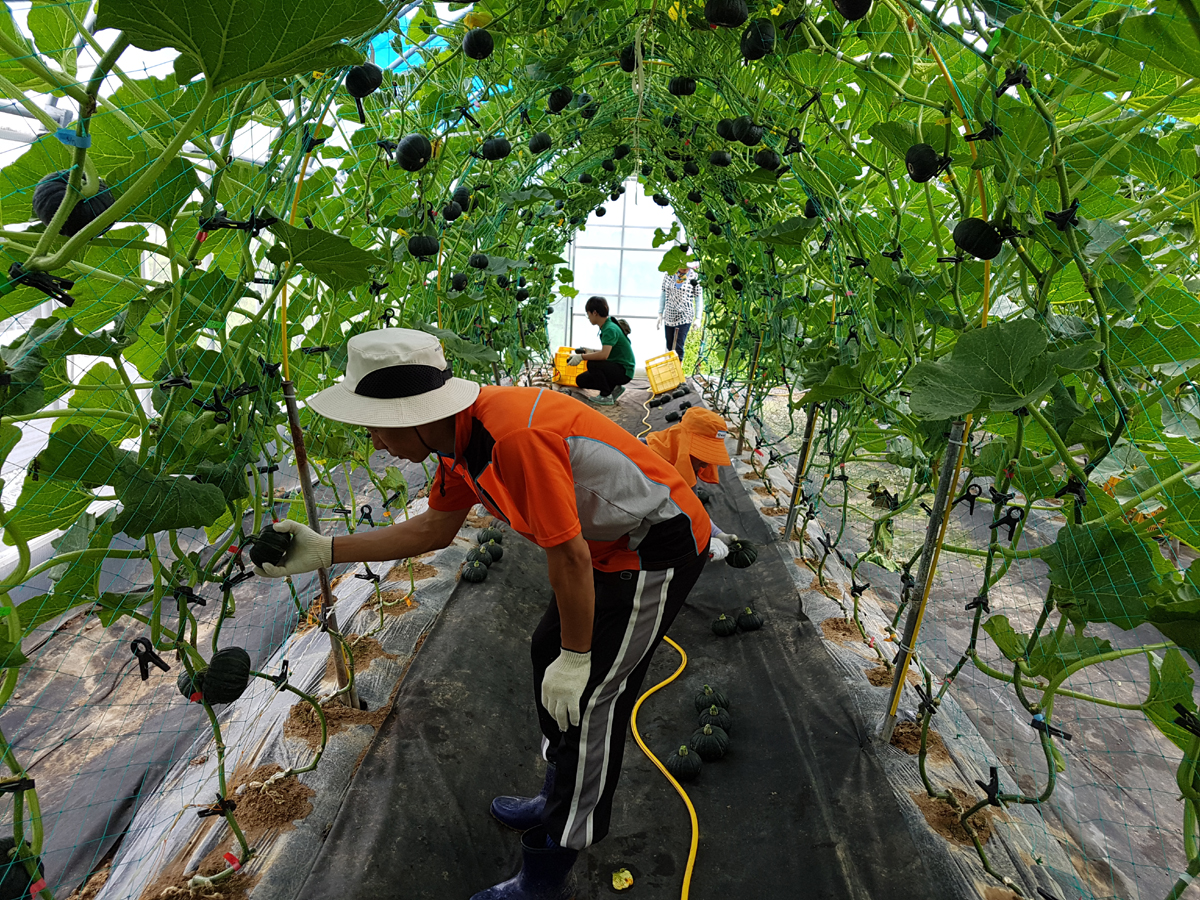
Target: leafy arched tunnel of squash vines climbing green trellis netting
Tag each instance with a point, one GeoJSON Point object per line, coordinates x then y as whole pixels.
{"type": "Point", "coordinates": [914, 221]}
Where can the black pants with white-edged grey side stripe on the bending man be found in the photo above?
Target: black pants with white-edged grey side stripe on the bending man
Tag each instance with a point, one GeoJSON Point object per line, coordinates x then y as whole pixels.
{"type": "Point", "coordinates": [633, 613]}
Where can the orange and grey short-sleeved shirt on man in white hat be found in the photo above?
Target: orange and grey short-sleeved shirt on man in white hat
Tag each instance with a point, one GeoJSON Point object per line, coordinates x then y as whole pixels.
{"type": "Point", "coordinates": [553, 469]}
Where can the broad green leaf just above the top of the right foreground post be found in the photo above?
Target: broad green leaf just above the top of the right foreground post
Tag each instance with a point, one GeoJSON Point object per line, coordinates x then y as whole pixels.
{"type": "Point", "coordinates": [1001, 368]}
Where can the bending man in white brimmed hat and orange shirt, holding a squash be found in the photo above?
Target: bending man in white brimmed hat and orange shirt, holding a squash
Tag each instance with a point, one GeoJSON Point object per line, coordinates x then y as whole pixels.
{"type": "Point", "coordinates": [626, 541]}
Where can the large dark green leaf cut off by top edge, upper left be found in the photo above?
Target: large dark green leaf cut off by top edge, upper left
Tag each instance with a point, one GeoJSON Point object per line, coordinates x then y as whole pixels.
{"type": "Point", "coordinates": [238, 41]}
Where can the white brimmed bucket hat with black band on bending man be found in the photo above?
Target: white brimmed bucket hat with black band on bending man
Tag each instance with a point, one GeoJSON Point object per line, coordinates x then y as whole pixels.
{"type": "Point", "coordinates": [395, 379]}
